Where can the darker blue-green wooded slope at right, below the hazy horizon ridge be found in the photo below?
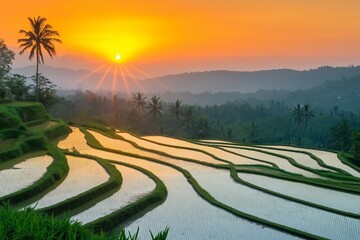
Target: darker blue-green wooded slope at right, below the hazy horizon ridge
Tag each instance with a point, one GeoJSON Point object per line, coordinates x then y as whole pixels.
{"type": "Point", "coordinates": [344, 94]}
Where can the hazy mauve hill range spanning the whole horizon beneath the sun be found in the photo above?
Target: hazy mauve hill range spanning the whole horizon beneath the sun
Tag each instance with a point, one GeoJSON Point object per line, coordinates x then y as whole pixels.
{"type": "Point", "coordinates": [198, 82]}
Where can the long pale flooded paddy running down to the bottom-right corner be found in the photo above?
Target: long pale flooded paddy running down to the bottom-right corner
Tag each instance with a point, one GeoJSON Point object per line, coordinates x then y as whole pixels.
{"type": "Point", "coordinates": [221, 186]}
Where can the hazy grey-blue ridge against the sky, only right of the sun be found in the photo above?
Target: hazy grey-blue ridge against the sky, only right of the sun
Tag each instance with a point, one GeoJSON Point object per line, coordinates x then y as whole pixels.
{"type": "Point", "coordinates": [229, 81]}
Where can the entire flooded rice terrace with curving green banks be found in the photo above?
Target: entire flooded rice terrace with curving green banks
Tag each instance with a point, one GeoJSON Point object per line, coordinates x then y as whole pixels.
{"type": "Point", "coordinates": [110, 178]}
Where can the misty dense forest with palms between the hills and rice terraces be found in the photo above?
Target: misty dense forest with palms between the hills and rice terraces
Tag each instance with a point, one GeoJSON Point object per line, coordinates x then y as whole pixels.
{"type": "Point", "coordinates": [245, 121]}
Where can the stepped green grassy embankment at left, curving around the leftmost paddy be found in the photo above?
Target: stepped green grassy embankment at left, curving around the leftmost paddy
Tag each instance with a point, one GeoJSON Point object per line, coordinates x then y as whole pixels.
{"type": "Point", "coordinates": [14, 118]}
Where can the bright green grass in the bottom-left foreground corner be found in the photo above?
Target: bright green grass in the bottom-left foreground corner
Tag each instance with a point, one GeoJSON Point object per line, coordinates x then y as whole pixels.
{"type": "Point", "coordinates": [29, 224]}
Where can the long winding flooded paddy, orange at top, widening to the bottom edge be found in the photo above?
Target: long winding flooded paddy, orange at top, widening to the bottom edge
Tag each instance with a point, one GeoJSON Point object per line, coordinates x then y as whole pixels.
{"type": "Point", "coordinates": [187, 215]}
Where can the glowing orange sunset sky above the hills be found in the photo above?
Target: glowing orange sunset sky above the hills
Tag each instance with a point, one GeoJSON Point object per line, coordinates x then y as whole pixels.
{"type": "Point", "coordinates": [164, 37]}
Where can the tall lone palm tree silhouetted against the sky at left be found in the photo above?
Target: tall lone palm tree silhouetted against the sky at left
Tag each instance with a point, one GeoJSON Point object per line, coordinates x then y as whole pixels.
{"type": "Point", "coordinates": [40, 36]}
